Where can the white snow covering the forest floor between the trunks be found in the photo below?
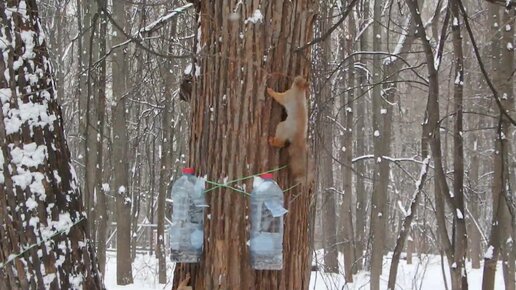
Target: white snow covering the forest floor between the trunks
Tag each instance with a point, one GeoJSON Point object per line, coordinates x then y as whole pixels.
{"type": "Point", "coordinates": [422, 274]}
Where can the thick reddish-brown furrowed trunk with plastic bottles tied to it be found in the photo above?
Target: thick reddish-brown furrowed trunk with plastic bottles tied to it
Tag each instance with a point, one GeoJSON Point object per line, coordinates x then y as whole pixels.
{"type": "Point", "coordinates": [232, 118]}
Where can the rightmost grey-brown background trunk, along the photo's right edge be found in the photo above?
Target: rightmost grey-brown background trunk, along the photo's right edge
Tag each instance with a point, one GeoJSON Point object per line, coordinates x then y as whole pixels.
{"type": "Point", "coordinates": [500, 241]}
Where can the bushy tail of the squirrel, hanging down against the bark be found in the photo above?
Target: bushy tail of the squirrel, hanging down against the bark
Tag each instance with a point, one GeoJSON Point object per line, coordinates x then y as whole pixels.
{"type": "Point", "coordinates": [300, 164]}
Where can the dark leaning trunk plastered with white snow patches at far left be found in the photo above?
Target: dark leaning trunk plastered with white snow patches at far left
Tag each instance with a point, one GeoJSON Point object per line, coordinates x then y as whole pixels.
{"type": "Point", "coordinates": [40, 201]}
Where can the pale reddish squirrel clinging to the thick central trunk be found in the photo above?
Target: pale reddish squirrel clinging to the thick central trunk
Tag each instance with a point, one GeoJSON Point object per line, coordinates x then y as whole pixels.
{"type": "Point", "coordinates": [293, 129]}
